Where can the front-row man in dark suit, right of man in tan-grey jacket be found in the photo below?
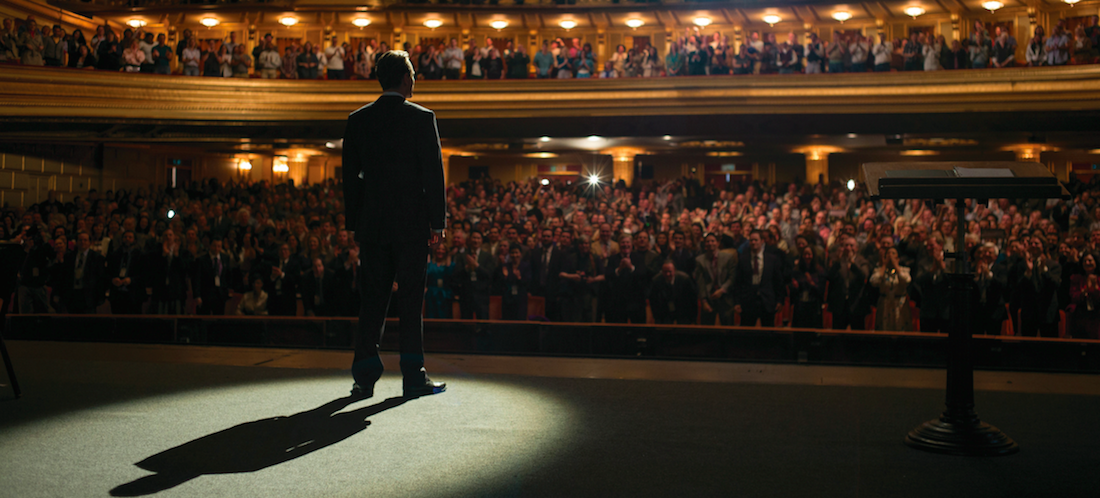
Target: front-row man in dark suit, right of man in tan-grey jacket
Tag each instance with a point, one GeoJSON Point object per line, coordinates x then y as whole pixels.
{"type": "Point", "coordinates": [760, 284]}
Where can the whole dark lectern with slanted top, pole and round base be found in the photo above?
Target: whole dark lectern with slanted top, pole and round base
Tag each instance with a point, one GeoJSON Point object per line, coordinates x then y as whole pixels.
{"type": "Point", "coordinates": [959, 430]}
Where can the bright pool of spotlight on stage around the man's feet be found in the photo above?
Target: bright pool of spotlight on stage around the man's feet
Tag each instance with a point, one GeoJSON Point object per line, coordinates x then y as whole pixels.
{"type": "Point", "coordinates": [281, 434]}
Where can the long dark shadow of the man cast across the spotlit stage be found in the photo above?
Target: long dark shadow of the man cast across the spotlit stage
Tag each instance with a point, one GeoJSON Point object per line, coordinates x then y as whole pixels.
{"type": "Point", "coordinates": [254, 446]}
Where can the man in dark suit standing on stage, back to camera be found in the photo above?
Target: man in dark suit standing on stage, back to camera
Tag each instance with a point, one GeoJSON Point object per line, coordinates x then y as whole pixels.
{"type": "Point", "coordinates": [393, 181]}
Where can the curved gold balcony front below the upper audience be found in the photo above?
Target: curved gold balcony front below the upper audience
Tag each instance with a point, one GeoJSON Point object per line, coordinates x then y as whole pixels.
{"type": "Point", "coordinates": [50, 95]}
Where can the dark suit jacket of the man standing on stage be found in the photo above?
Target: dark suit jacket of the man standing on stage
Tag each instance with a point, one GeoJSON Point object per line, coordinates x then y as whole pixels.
{"type": "Point", "coordinates": [393, 179]}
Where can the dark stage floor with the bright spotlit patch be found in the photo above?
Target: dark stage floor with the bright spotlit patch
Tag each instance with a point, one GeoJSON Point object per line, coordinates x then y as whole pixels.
{"type": "Point", "coordinates": [195, 422]}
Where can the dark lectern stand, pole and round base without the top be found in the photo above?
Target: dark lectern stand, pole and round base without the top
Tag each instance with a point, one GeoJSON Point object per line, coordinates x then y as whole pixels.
{"type": "Point", "coordinates": [959, 430]}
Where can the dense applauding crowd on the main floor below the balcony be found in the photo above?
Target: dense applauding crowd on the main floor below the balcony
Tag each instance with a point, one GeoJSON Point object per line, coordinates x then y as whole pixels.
{"type": "Point", "coordinates": [666, 252]}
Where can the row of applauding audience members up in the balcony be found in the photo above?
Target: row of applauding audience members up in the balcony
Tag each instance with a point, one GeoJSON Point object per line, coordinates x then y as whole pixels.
{"type": "Point", "coordinates": [692, 54]}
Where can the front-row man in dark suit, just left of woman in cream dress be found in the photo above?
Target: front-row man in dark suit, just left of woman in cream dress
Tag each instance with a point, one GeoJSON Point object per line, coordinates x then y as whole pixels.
{"type": "Point", "coordinates": [848, 280]}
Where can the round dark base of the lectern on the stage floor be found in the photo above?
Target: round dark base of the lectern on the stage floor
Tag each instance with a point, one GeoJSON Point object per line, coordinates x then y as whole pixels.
{"type": "Point", "coordinates": [973, 439]}
